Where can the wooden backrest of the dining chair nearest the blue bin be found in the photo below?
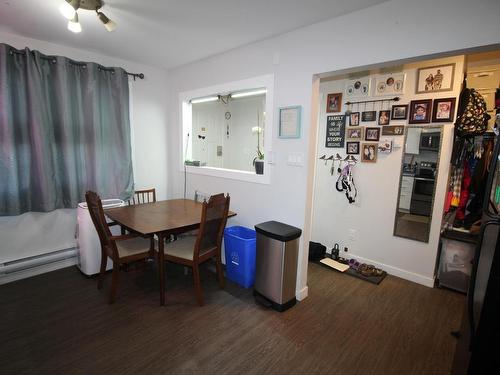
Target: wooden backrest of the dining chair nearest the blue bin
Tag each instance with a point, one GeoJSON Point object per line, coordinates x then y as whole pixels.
{"type": "Point", "coordinates": [213, 221]}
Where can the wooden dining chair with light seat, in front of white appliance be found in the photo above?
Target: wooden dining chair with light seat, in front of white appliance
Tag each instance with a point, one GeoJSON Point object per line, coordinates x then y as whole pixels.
{"type": "Point", "coordinates": [121, 249]}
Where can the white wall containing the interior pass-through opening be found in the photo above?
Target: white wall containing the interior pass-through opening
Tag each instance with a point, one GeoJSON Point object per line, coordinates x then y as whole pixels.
{"type": "Point", "coordinates": [391, 31]}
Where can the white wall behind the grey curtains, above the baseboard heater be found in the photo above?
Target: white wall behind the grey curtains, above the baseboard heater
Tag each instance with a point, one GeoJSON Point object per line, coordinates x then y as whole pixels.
{"type": "Point", "coordinates": [37, 233]}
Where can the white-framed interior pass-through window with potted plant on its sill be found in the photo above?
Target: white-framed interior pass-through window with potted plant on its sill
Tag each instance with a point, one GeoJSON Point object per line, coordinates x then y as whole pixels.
{"type": "Point", "coordinates": [227, 127]}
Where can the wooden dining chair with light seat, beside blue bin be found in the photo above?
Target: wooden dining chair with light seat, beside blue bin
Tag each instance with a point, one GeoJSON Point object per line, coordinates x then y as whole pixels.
{"type": "Point", "coordinates": [191, 251]}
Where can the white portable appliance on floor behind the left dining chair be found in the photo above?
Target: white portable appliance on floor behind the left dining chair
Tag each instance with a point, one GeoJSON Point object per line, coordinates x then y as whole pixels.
{"type": "Point", "coordinates": [88, 244]}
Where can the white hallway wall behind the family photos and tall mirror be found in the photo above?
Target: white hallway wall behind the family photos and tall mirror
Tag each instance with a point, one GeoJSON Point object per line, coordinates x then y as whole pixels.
{"type": "Point", "coordinates": [372, 215]}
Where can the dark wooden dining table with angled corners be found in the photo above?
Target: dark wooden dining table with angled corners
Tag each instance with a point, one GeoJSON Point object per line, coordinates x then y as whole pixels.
{"type": "Point", "coordinates": [163, 219]}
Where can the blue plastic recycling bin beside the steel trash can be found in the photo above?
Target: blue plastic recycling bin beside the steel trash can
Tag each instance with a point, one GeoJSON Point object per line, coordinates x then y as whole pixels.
{"type": "Point", "coordinates": [239, 245]}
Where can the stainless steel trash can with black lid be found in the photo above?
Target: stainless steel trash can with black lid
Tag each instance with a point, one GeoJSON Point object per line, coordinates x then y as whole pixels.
{"type": "Point", "coordinates": [276, 264]}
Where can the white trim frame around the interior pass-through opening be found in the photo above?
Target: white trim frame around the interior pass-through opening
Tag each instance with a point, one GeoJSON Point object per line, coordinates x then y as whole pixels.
{"type": "Point", "coordinates": [185, 110]}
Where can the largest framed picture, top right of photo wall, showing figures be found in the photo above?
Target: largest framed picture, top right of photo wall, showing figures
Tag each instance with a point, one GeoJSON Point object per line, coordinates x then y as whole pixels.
{"type": "Point", "coordinates": [435, 78]}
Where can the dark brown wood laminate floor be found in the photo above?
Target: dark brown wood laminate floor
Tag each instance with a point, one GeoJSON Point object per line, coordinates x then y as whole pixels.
{"type": "Point", "coordinates": [58, 323]}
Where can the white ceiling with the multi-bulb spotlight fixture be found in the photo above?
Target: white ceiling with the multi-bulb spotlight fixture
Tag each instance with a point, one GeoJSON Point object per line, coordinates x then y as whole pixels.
{"type": "Point", "coordinates": [169, 33]}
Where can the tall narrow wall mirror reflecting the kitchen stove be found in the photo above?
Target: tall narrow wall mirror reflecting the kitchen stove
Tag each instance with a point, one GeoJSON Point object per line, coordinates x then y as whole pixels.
{"type": "Point", "coordinates": [417, 185]}
